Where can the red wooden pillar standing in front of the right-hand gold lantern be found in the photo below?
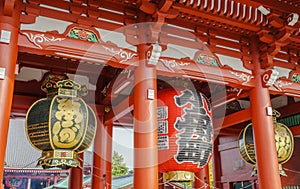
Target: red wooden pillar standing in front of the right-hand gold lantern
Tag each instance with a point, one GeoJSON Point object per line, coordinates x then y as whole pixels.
{"type": "Point", "coordinates": [266, 155]}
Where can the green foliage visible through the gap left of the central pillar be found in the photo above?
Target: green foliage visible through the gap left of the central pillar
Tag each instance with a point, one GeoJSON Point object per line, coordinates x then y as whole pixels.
{"type": "Point", "coordinates": [118, 166]}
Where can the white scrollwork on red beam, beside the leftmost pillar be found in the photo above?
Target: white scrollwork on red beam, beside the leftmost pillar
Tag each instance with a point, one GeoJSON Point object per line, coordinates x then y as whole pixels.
{"type": "Point", "coordinates": [38, 39]}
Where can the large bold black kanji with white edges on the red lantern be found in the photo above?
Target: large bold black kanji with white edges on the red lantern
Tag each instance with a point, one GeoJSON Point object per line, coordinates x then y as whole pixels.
{"type": "Point", "coordinates": [195, 126]}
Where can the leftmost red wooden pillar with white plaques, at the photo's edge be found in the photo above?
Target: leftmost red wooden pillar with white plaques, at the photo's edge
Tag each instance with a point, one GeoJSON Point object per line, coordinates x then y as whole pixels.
{"type": "Point", "coordinates": [9, 27]}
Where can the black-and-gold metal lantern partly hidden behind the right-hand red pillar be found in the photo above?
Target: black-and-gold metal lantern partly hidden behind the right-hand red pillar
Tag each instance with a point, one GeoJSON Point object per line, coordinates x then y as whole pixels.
{"type": "Point", "coordinates": [284, 142]}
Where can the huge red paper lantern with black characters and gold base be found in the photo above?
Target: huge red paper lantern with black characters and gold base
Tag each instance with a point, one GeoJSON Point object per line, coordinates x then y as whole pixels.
{"type": "Point", "coordinates": [185, 133]}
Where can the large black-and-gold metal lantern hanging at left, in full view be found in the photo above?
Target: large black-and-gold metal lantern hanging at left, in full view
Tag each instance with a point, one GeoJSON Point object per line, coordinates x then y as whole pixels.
{"type": "Point", "coordinates": [61, 125]}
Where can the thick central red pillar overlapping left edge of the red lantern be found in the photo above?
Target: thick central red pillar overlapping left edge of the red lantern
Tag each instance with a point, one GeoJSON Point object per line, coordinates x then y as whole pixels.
{"type": "Point", "coordinates": [145, 125]}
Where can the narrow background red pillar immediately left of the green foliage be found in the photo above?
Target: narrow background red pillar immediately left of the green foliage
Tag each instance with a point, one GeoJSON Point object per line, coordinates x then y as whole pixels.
{"type": "Point", "coordinates": [109, 142]}
